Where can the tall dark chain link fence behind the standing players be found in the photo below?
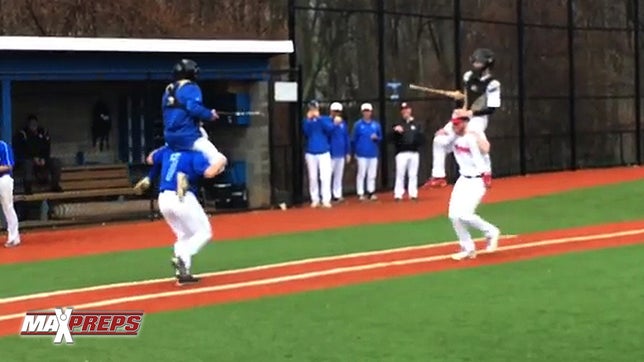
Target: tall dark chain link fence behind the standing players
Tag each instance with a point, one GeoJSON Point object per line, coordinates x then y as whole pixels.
{"type": "Point", "coordinates": [570, 72]}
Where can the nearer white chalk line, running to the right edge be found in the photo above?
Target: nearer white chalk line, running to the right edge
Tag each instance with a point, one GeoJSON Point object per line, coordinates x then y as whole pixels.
{"type": "Point", "coordinates": [311, 275]}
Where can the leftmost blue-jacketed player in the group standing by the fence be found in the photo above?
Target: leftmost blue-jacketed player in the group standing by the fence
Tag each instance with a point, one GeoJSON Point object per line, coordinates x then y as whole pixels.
{"type": "Point", "coordinates": [318, 131]}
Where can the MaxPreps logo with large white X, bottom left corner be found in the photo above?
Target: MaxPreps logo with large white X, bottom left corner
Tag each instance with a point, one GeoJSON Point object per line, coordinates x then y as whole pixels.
{"type": "Point", "coordinates": [64, 323]}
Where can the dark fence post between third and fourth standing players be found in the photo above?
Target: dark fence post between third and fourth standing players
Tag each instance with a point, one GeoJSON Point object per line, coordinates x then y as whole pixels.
{"type": "Point", "coordinates": [382, 85]}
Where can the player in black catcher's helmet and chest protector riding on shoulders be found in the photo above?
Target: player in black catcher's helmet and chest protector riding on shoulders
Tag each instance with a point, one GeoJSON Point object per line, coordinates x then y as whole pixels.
{"type": "Point", "coordinates": [482, 97]}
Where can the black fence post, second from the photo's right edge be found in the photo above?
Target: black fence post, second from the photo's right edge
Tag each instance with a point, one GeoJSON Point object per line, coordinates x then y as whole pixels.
{"type": "Point", "coordinates": [571, 85]}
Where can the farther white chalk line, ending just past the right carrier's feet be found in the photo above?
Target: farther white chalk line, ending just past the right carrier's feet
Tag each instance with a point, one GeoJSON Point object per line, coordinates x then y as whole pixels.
{"type": "Point", "coordinates": [233, 271]}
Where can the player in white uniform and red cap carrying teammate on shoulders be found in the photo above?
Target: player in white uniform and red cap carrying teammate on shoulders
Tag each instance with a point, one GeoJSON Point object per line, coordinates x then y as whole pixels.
{"type": "Point", "coordinates": [469, 190]}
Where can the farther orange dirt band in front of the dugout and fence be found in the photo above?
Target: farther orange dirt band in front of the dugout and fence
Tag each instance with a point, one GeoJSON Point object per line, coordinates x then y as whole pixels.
{"type": "Point", "coordinates": [42, 245]}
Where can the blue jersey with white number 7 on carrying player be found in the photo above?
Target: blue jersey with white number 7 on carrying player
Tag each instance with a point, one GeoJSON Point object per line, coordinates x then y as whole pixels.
{"type": "Point", "coordinates": [191, 163]}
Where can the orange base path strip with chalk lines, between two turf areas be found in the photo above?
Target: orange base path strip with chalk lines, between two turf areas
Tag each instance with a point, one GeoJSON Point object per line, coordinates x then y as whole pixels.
{"type": "Point", "coordinates": [159, 295]}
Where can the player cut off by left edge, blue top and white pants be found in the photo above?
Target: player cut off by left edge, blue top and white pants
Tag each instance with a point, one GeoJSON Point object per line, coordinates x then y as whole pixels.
{"type": "Point", "coordinates": [6, 194]}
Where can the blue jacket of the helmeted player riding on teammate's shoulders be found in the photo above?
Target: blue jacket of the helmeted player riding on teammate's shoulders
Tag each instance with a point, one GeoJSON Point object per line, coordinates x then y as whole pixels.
{"type": "Point", "coordinates": [181, 121]}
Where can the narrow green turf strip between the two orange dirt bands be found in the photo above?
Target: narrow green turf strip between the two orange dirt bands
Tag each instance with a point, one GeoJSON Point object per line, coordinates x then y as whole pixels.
{"type": "Point", "coordinates": [577, 208]}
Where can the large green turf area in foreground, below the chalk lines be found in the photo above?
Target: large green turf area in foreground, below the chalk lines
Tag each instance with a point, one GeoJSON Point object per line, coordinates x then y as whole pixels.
{"type": "Point", "coordinates": [575, 307]}
